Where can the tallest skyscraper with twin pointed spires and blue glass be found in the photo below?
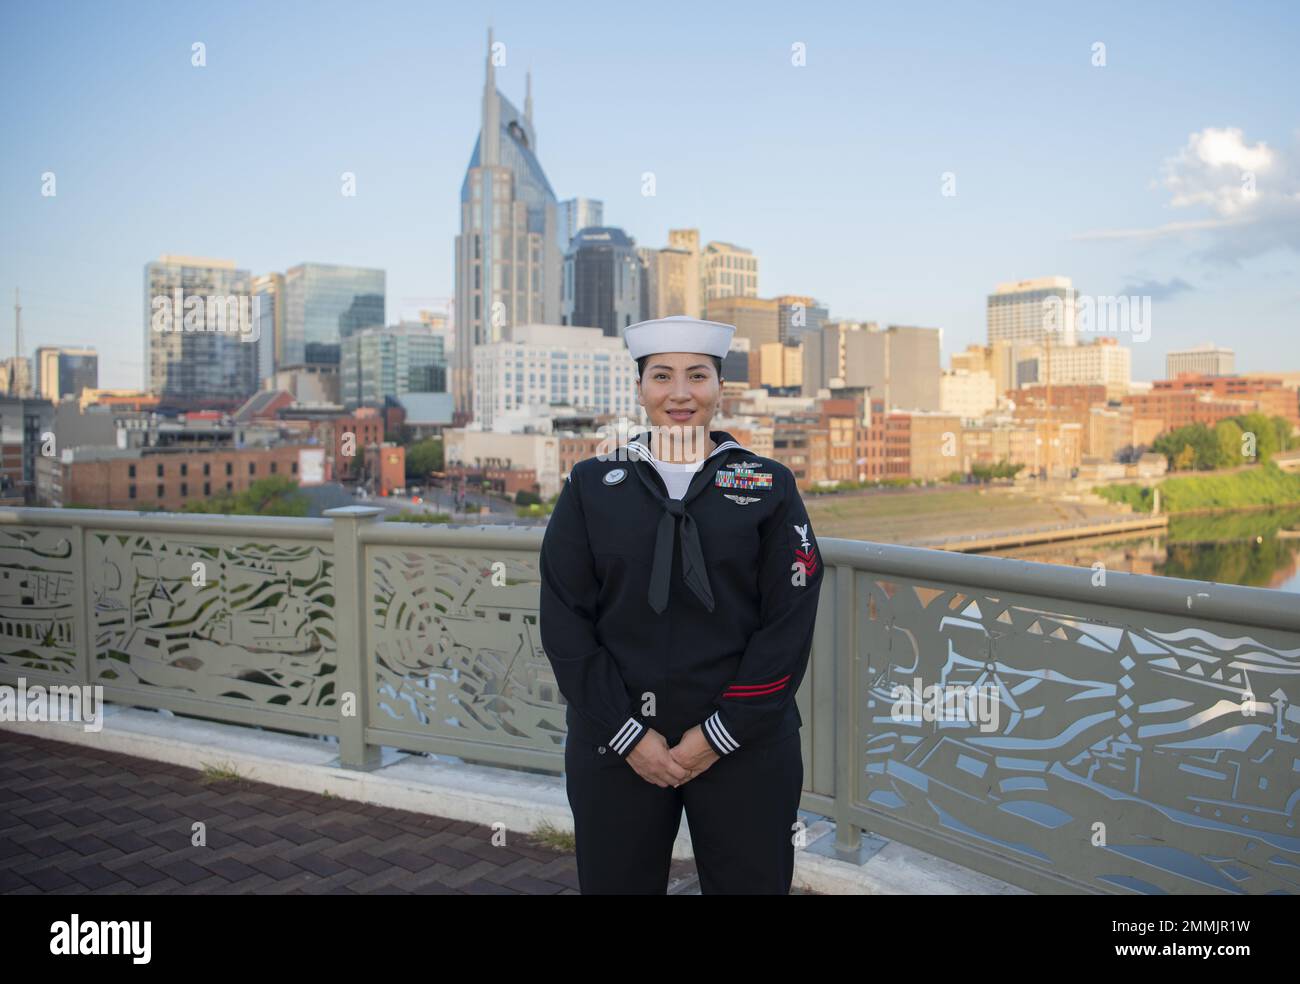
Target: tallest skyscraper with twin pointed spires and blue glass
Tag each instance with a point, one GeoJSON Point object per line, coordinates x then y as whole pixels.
{"type": "Point", "coordinates": [509, 258]}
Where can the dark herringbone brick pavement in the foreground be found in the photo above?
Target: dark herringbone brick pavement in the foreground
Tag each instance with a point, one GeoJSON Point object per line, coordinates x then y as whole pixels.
{"type": "Point", "coordinates": [80, 821]}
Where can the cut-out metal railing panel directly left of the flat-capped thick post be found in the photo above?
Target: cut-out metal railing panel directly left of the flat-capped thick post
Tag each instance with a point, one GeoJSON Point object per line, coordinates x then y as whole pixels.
{"type": "Point", "coordinates": [222, 621]}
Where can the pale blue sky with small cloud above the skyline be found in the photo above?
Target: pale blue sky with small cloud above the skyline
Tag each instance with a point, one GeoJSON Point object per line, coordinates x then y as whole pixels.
{"type": "Point", "coordinates": [1123, 176]}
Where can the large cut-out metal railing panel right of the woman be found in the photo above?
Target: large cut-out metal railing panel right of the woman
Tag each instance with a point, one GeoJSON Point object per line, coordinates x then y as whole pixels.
{"type": "Point", "coordinates": [1139, 752]}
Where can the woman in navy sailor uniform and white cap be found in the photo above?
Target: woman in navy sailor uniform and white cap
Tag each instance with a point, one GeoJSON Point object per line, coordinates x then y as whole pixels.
{"type": "Point", "coordinates": [679, 592]}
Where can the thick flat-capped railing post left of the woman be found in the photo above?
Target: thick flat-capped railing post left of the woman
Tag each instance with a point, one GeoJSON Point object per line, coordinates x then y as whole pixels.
{"type": "Point", "coordinates": [352, 617]}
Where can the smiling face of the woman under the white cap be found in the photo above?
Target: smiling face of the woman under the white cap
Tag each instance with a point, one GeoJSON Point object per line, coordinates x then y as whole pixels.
{"type": "Point", "coordinates": [681, 393]}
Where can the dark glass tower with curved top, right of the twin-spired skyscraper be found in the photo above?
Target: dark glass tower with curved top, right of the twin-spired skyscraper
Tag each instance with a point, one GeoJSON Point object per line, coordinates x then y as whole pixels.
{"type": "Point", "coordinates": [604, 281]}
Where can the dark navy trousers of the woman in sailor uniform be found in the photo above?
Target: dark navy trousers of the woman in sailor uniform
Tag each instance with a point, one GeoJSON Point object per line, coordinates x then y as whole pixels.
{"type": "Point", "coordinates": [742, 812]}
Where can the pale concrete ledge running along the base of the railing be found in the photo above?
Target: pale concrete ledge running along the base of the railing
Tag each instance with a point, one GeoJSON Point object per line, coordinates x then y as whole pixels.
{"type": "Point", "coordinates": [482, 795]}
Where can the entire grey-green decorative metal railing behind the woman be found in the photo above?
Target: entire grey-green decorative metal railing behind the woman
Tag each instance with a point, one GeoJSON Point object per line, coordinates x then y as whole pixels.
{"type": "Point", "coordinates": [1097, 732]}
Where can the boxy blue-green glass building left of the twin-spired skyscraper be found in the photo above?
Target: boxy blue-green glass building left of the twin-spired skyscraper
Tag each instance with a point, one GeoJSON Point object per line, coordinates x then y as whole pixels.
{"type": "Point", "coordinates": [324, 305]}
